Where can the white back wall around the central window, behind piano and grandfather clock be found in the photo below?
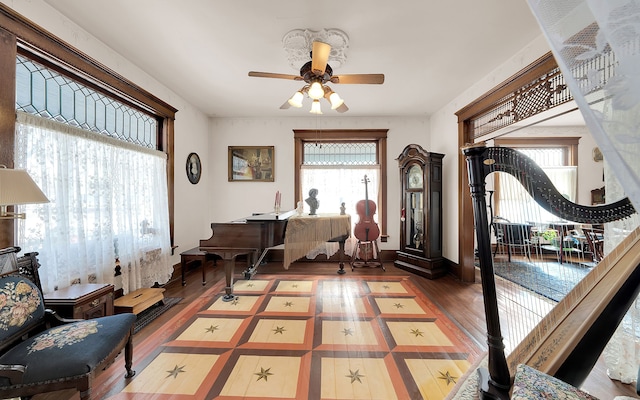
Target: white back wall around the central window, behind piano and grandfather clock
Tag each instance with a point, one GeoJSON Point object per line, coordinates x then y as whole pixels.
{"type": "Point", "coordinates": [231, 200]}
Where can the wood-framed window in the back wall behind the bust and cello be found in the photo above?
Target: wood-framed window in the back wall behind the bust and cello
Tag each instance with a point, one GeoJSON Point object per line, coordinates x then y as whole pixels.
{"type": "Point", "coordinates": [335, 162]}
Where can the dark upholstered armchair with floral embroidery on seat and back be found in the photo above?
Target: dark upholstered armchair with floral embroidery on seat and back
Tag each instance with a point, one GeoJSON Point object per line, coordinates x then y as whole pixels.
{"type": "Point", "coordinates": [41, 352]}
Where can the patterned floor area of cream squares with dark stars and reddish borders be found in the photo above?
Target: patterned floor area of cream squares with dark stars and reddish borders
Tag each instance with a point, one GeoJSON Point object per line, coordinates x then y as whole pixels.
{"type": "Point", "coordinates": [300, 337]}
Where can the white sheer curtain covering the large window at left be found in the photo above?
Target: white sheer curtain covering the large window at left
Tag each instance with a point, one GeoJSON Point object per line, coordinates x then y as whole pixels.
{"type": "Point", "coordinates": [108, 199]}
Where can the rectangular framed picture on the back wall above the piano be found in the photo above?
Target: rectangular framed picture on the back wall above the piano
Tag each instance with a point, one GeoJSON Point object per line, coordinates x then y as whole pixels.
{"type": "Point", "coordinates": [251, 163]}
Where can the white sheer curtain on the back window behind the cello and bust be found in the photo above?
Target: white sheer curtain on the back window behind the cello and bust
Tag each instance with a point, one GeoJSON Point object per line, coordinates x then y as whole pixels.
{"type": "Point", "coordinates": [336, 186]}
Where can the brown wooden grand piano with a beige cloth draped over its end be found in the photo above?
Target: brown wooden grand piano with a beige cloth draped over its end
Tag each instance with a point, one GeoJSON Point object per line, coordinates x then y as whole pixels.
{"type": "Point", "coordinates": [256, 234]}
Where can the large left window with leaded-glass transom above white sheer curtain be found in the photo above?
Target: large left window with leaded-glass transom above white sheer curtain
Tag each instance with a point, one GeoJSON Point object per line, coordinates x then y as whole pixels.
{"type": "Point", "coordinates": [106, 183]}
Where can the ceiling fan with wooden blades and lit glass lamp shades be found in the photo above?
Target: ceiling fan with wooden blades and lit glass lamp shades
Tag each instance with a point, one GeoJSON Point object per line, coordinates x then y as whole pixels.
{"type": "Point", "coordinates": [316, 73]}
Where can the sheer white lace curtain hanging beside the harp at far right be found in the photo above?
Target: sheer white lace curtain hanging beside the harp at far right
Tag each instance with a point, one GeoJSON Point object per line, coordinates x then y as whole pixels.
{"type": "Point", "coordinates": [578, 31]}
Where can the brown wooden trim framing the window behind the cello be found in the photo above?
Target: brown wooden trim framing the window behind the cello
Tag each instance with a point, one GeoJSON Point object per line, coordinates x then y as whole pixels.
{"type": "Point", "coordinates": [346, 135]}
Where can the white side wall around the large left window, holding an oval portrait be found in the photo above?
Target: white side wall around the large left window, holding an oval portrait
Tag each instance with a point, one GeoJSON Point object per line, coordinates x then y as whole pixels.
{"type": "Point", "coordinates": [192, 202]}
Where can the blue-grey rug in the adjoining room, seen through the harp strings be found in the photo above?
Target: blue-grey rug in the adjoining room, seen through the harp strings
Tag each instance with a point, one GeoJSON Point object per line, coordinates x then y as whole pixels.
{"type": "Point", "coordinates": [549, 279]}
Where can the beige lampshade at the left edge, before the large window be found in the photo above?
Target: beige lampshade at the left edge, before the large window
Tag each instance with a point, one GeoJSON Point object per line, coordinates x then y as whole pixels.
{"type": "Point", "coordinates": [17, 187]}
